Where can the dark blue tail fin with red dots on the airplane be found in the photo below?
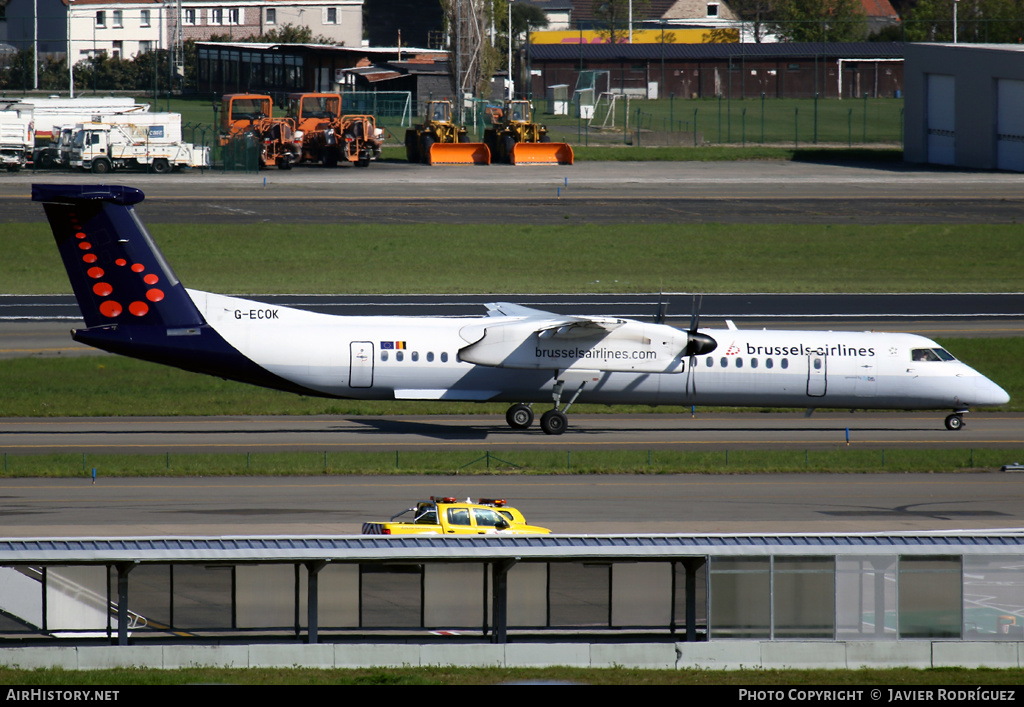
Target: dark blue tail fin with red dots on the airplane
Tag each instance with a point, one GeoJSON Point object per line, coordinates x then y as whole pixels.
{"type": "Point", "coordinates": [118, 274]}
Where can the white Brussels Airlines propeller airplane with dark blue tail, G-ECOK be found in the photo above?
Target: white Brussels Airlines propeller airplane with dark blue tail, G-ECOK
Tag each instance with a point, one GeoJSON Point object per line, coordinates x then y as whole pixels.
{"type": "Point", "coordinates": [135, 306]}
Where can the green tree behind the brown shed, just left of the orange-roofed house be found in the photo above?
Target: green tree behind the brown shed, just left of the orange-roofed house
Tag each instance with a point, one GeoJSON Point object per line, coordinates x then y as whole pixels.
{"type": "Point", "coordinates": [818, 21]}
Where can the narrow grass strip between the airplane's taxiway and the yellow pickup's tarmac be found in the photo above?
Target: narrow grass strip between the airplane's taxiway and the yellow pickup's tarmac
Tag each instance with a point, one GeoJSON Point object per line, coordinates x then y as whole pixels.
{"type": "Point", "coordinates": [840, 460]}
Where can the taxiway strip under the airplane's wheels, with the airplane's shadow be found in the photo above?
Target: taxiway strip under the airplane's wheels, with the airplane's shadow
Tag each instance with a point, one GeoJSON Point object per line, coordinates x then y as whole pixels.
{"type": "Point", "coordinates": [477, 434]}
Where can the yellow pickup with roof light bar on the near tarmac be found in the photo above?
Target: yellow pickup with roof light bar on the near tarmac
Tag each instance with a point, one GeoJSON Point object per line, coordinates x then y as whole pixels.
{"type": "Point", "coordinates": [447, 516]}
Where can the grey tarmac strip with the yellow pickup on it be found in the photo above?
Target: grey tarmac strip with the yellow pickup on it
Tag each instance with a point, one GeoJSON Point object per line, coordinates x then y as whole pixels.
{"type": "Point", "coordinates": [691, 504]}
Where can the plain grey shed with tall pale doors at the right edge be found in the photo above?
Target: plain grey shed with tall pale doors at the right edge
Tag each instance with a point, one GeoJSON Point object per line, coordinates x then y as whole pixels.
{"type": "Point", "coordinates": [965, 106]}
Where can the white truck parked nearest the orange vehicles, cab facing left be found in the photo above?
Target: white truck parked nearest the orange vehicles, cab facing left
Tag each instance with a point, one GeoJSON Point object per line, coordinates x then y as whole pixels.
{"type": "Point", "coordinates": [151, 141]}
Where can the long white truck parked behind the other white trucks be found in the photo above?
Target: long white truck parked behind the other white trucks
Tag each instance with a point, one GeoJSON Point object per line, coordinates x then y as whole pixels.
{"type": "Point", "coordinates": [50, 116]}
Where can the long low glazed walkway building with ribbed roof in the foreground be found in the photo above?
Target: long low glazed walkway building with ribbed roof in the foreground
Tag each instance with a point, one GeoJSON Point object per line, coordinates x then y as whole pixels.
{"type": "Point", "coordinates": [865, 600]}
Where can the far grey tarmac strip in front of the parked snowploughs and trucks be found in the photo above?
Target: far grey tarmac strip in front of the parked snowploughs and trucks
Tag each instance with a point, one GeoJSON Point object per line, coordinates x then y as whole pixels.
{"type": "Point", "coordinates": [763, 192]}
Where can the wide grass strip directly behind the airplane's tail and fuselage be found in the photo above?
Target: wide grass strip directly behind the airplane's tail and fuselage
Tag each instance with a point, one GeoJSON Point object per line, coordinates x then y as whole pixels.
{"type": "Point", "coordinates": [575, 257]}
